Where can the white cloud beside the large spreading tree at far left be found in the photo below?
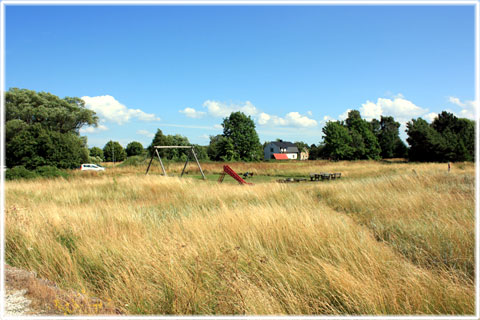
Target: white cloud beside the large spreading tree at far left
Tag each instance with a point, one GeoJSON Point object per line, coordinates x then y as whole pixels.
{"type": "Point", "coordinates": [108, 108]}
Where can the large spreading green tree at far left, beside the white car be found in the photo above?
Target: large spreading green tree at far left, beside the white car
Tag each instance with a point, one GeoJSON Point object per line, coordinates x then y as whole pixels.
{"type": "Point", "coordinates": [43, 130]}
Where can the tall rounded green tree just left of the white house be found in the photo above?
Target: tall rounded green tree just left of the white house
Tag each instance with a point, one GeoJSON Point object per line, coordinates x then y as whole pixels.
{"type": "Point", "coordinates": [240, 131]}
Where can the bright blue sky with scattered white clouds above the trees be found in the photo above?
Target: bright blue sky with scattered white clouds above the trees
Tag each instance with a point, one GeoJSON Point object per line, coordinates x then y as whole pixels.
{"type": "Point", "coordinates": [291, 68]}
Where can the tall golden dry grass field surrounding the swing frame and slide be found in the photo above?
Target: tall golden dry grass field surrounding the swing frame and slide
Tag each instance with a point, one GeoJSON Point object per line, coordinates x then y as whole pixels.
{"type": "Point", "coordinates": [387, 238]}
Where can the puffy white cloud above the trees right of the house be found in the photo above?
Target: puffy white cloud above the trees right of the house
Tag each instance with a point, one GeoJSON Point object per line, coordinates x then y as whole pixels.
{"type": "Point", "coordinates": [399, 108]}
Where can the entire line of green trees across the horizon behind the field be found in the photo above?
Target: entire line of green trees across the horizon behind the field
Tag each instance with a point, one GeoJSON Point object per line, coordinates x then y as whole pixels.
{"type": "Point", "coordinates": [42, 129]}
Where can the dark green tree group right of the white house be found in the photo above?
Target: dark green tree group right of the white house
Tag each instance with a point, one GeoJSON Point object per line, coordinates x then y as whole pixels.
{"type": "Point", "coordinates": [447, 138]}
